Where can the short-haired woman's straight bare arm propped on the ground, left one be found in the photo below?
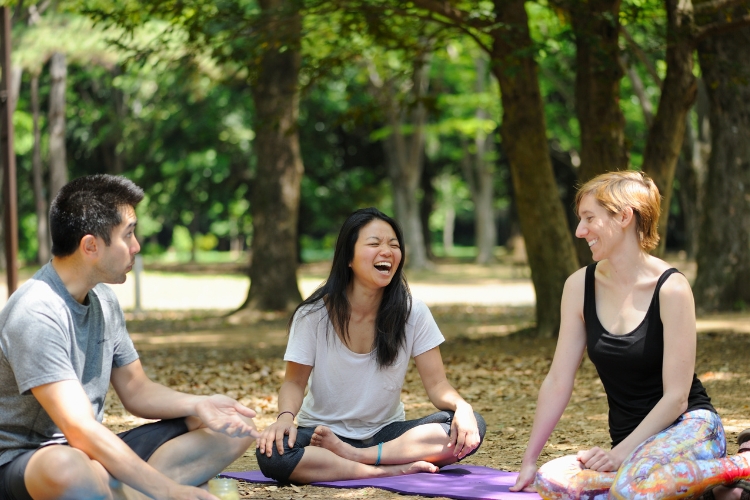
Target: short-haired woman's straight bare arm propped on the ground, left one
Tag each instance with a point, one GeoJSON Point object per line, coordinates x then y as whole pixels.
{"type": "Point", "coordinates": [555, 391]}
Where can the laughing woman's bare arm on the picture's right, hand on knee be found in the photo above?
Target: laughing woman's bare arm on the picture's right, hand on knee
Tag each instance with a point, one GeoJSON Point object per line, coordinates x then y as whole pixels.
{"type": "Point", "coordinates": [464, 435]}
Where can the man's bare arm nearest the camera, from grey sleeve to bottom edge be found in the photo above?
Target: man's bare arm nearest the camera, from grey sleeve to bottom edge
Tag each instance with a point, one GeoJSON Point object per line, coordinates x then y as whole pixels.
{"type": "Point", "coordinates": [70, 409]}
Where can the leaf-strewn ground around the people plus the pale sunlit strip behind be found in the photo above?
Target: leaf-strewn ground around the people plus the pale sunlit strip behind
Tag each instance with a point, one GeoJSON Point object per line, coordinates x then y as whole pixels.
{"type": "Point", "coordinates": [490, 354]}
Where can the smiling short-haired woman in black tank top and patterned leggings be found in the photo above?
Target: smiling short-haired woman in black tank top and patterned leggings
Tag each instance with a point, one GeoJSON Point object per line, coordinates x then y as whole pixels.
{"type": "Point", "coordinates": [635, 315]}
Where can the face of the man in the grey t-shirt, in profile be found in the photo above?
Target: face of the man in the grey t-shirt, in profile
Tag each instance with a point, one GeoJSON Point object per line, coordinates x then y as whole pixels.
{"type": "Point", "coordinates": [117, 259]}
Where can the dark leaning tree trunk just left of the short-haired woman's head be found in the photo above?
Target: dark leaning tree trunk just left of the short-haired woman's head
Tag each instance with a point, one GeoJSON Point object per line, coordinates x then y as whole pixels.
{"type": "Point", "coordinates": [549, 245]}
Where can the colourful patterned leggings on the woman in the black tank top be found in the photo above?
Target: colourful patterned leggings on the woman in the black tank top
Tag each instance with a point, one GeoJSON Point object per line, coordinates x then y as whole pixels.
{"type": "Point", "coordinates": [682, 461]}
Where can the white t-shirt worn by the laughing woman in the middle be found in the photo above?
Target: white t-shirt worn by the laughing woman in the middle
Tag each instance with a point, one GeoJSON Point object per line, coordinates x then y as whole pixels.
{"type": "Point", "coordinates": [347, 391]}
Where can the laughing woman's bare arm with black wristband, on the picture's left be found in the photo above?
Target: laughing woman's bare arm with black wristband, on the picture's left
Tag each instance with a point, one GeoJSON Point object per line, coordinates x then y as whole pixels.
{"type": "Point", "coordinates": [290, 400]}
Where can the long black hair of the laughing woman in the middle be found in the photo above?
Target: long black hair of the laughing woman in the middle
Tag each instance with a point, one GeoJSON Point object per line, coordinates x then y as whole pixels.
{"type": "Point", "coordinates": [395, 307]}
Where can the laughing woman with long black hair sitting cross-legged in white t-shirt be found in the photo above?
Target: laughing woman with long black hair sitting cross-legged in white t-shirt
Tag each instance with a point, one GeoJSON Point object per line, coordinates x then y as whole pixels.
{"type": "Point", "coordinates": [352, 340]}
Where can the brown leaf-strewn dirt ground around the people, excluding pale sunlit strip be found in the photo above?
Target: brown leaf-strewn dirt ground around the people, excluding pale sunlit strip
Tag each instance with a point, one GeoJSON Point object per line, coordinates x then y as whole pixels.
{"type": "Point", "coordinates": [490, 357]}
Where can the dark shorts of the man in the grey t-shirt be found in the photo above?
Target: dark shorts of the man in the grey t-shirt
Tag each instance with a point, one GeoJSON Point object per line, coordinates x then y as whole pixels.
{"type": "Point", "coordinates": [143, 440]}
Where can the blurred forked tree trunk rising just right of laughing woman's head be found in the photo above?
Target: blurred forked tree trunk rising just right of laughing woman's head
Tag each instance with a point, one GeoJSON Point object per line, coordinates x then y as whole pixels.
{"type": "Point", "coordinates": [405, 156]}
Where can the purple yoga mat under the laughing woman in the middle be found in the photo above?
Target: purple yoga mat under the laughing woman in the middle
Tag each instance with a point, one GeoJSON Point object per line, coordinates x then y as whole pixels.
{"type": "Point", "coordinates": [465, 482]}
